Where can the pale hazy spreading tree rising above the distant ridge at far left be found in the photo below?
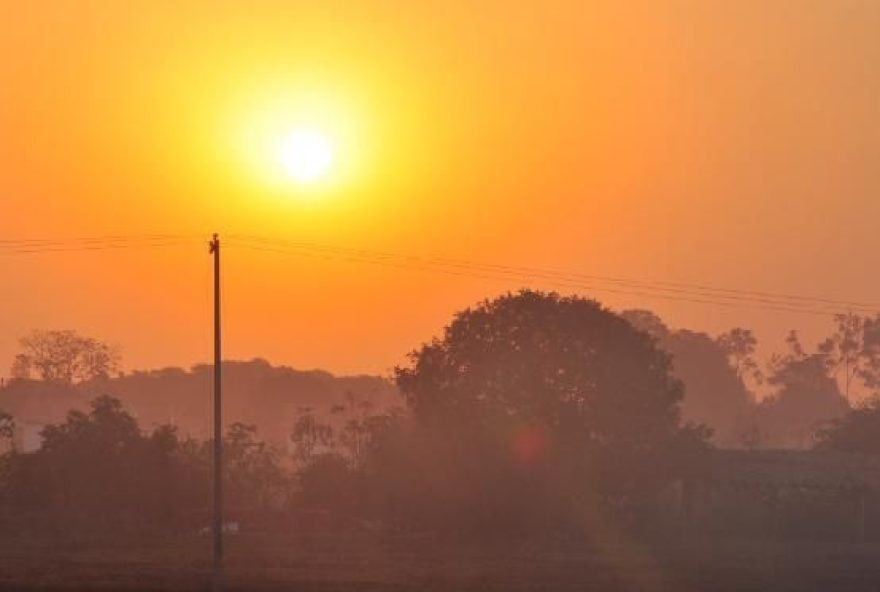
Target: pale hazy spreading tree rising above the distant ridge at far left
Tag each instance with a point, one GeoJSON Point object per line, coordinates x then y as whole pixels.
{"type": "Point", "coordinates": [64, 356]}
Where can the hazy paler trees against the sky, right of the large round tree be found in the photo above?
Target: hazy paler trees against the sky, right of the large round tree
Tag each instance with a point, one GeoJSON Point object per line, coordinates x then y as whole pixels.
{"type": "Point", "coordinates": [801, 390]}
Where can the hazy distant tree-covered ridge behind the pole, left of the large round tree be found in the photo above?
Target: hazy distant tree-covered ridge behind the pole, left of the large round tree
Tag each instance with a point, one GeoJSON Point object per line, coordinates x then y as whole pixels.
{"type": "Point", "coordinates": [268, 397]}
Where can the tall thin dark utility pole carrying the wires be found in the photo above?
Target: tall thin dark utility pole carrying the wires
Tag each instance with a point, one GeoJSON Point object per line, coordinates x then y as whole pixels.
{"type": "Point", "coordinates": [217, 529]}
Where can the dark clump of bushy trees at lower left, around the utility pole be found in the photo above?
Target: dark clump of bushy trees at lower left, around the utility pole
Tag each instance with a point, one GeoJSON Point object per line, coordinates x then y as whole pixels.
{"type": "Point", "coordinates": [97, 470]}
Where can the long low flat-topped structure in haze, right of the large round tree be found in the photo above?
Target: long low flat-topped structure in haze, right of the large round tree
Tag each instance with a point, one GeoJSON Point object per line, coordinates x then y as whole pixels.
{"type": "Point", "coordinates": [786, 494]}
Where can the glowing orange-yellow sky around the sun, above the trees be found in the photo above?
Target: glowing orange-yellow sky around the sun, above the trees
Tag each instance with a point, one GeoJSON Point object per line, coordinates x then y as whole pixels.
{"type": "Point", "coordinates": [729, 143]}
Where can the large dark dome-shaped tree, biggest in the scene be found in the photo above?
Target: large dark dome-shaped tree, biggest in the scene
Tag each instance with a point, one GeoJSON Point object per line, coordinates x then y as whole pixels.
{"type": "Point", "coordinates": [556, 393]}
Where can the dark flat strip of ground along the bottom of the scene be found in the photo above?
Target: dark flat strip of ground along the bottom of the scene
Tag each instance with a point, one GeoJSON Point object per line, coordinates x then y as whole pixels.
{"type": "Point", "coordinates": [358, 563]}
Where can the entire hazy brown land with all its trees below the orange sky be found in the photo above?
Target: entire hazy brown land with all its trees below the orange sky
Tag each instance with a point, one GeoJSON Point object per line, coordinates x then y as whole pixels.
{"type": "Point", "coordinates": [535, 426]}
